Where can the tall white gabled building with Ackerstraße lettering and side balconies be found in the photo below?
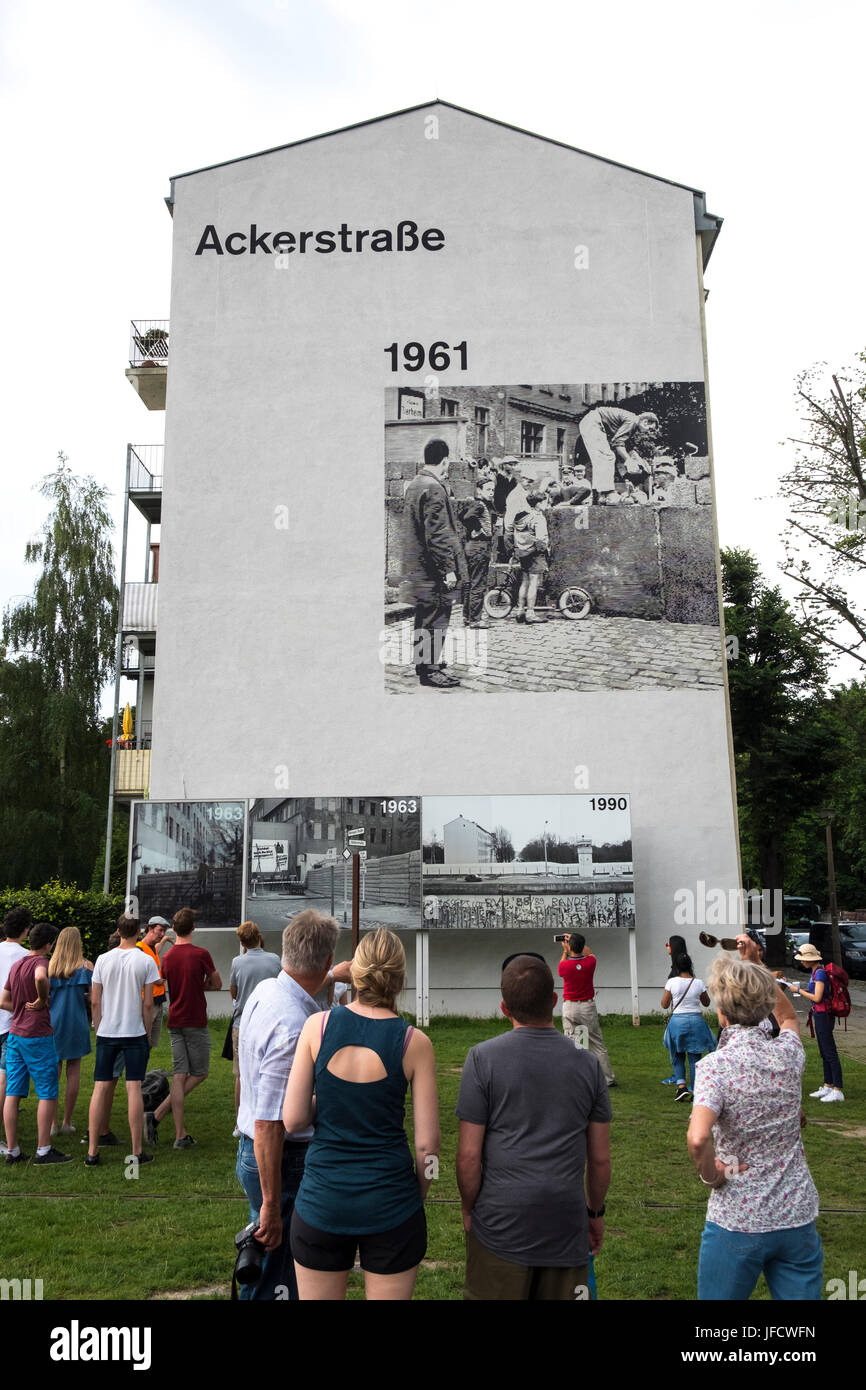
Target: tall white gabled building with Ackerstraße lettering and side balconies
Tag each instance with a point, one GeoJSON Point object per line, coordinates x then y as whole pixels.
{"type": "Point", "coordinates": [334, 304]}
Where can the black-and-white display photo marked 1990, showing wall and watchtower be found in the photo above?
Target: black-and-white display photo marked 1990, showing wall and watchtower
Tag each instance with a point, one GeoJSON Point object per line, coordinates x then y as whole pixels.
{"type": "Point", "coordinates": [561, 864]}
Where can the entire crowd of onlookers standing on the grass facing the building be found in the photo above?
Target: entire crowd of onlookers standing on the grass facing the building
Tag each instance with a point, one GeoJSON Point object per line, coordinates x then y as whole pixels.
{"type": "Point", "coordinates": [322, 1085]}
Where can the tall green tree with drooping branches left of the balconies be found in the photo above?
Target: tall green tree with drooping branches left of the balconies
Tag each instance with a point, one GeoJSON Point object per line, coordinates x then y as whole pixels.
{"type": "Point", "coordinates": [59, 653]}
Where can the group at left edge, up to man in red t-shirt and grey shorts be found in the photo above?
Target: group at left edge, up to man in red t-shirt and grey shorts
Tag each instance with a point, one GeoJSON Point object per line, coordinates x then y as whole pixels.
{"type": "Point", "coordinates": [52, 997]}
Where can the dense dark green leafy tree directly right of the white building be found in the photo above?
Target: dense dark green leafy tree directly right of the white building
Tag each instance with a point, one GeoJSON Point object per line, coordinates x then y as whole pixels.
{"type": "Point", "coordinates": [785, 742]}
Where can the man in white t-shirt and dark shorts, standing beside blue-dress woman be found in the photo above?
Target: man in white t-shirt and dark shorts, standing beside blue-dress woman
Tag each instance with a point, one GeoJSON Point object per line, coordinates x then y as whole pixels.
{"type": "Point", "coordinates": [122, 1003]}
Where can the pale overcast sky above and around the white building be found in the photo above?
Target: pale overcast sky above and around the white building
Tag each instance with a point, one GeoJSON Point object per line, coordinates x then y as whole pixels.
{"type": "Point", "coordinates": [101, 104]}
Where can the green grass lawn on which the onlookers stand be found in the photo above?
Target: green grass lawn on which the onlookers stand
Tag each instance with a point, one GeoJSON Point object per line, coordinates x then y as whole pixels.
{"type": "Point", "coordinates": [97, 1234]}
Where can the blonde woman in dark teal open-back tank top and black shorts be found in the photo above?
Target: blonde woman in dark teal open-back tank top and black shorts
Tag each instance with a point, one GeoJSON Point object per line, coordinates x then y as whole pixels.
{"type": "Point", "coordinates": [361, 1188]}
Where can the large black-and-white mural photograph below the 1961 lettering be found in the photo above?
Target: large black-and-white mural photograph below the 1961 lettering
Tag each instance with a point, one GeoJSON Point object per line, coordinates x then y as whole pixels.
{"type": "Point", "coordinates": [544, 539]}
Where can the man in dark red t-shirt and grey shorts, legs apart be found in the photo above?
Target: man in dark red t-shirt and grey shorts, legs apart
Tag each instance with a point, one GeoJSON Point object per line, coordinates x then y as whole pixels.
{"type": "Point", "coordinates": [188, 972]}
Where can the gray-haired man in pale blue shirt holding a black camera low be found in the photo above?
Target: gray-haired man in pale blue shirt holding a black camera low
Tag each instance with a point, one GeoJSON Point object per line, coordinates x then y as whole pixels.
{"type": "Point", "coordinates": [270, 1163]}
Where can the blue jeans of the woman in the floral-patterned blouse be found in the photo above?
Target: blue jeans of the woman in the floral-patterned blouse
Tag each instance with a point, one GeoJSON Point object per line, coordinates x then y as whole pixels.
{"type": "Point", "coordinates": [732, 1263]}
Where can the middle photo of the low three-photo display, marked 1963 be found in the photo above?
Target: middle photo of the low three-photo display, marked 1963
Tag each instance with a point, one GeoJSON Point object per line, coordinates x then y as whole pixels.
{"type": "Point", "coordinates": [301, 857]}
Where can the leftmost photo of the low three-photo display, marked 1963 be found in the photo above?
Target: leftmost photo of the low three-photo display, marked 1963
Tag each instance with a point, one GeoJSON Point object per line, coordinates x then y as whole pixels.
{"type": "Point", "coordinates": [188, 854]}
